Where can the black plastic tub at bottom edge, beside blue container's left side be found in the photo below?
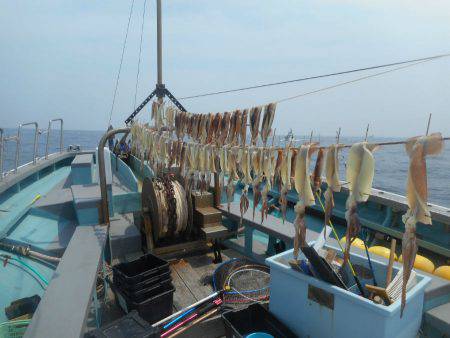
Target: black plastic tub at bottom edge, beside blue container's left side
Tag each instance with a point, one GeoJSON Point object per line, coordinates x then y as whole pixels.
{"type": "Point", "coordinates": [254, 319]}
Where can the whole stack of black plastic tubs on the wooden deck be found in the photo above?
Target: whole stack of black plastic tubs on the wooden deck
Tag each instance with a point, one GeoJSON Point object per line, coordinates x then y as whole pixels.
{"type": "Point", "coordinates": [144, 285]}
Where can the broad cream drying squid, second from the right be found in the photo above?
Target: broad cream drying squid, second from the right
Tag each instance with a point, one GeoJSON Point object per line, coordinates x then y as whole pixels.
{"type": "Point", "coordinates": [359, 175]}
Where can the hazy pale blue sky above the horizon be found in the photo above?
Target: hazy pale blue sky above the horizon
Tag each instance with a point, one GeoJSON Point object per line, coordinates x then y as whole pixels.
{"type": "Point", "coordinates": [60, 58]}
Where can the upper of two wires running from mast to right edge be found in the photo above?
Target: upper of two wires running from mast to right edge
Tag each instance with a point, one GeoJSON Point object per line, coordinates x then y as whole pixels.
{"type": "Point", "coordinates": [429, 58]}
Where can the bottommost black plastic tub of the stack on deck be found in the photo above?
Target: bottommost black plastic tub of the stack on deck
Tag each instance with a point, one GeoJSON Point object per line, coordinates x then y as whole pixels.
{"type": "Point", "coordinates": [152, 309]}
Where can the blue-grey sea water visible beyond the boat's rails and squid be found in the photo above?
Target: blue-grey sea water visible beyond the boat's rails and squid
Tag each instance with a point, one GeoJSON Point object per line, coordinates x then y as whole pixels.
{"type": "Point", "coordinates": [391, 162]}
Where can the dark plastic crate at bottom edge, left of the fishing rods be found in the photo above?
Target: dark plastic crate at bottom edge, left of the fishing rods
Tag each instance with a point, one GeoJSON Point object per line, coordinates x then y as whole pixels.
{"type": "Point", "coordinates": [129, 326]}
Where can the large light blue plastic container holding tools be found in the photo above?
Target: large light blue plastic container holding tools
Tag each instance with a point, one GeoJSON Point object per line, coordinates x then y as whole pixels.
{"type": "Point", "coordinates": [313, 308]}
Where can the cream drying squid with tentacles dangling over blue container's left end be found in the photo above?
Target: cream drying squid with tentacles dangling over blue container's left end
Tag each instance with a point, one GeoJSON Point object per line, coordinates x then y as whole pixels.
{"type": "Point", "coordinates": [302, 184]}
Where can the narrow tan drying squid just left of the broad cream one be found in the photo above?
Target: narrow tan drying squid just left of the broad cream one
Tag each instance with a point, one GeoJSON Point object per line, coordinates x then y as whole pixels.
{"type": "Point", "coordinates": [332, 178]}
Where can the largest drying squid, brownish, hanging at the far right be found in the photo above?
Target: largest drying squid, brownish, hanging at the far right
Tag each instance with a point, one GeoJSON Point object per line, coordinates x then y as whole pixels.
{"type": "Point", "coordinates": [417, 196]}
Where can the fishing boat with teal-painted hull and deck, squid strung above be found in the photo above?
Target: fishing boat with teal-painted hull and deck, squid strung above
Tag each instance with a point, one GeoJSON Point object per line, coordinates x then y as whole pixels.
{"type": "Point", "coordinates": [135, 240]}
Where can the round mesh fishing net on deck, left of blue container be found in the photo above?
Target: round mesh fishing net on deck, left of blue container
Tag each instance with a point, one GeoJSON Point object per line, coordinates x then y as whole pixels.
{"type": "Point", "coordinates": [242, 281]}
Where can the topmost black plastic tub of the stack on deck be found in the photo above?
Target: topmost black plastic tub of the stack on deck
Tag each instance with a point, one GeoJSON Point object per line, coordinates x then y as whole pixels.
{"type": "Point", "coordinates": [141, 269]}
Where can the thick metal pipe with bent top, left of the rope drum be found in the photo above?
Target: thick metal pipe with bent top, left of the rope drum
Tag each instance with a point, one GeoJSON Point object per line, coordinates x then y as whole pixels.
{"type": "Point", "coordinates": [104, 217]}
